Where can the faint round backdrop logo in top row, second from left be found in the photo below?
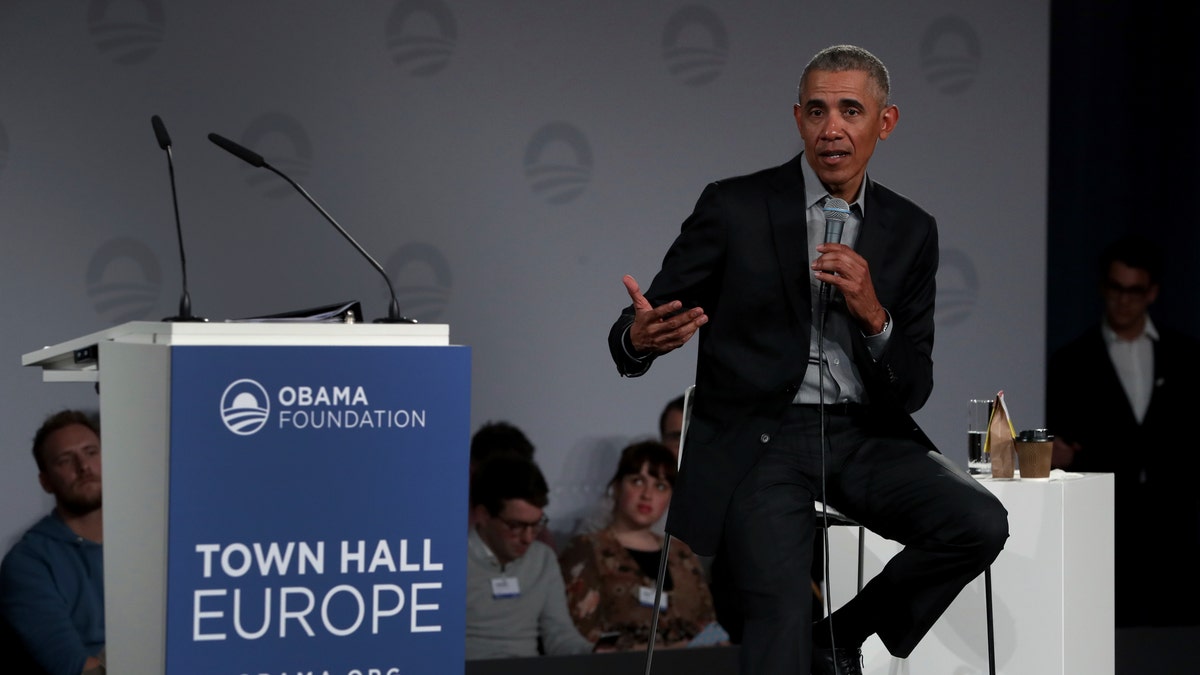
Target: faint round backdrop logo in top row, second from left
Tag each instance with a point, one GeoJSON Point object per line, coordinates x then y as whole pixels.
{"type": "Point", "coordinates": [422, 52]}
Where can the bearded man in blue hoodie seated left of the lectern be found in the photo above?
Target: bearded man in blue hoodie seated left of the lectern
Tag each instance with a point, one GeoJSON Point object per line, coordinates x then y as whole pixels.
{"type": "Point", "coordinates": [52, 583]}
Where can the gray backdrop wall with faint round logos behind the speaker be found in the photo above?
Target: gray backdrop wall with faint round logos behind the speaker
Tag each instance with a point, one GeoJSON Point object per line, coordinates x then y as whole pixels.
{"type": "Point", "coordinates": [507, 163]}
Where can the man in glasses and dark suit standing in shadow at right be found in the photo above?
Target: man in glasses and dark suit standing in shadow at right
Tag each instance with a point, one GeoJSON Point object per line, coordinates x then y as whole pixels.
{"type": "Point", "coordinates": [1118, 399]}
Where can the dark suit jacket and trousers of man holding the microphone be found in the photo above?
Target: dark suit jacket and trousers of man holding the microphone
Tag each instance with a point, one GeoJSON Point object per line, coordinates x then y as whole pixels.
{"type": "Point", "coordinates": [747, 483]}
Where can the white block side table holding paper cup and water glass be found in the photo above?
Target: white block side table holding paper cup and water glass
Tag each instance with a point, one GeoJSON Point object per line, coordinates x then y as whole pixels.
{"type": "Point", "coordinates": [1053, 596]}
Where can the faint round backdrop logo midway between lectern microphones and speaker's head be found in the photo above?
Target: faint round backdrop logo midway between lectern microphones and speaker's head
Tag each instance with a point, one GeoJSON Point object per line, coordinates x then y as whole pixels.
{"type": "Point", "coordinates": [559, 163]}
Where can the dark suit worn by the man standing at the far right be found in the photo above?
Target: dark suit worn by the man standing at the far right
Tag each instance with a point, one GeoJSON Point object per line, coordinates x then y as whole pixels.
{"type": "Point", "coordinates": [1155, 464]}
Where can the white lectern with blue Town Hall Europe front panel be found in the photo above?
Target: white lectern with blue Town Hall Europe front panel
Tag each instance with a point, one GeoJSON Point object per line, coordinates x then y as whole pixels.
{"type": "Point", "coordinates": [280, 497]}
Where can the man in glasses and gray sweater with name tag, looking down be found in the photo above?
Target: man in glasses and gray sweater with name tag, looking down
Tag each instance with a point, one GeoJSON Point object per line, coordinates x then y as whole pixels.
{"type": "Point", "coordinates": [514, 588]}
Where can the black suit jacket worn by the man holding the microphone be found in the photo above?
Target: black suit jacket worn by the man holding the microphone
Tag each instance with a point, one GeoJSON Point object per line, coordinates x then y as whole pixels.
{"type": "Point", "coordinates": [743, 258]}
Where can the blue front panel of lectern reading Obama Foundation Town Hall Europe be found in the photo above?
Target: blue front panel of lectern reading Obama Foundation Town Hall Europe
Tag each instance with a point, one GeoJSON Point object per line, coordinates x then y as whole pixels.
{"type": "Point", "coordinates": [319, 503]}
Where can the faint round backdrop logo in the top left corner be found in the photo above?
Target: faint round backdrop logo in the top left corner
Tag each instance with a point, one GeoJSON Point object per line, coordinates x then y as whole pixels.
{"type": "Point", "coordinates": [128, 32]}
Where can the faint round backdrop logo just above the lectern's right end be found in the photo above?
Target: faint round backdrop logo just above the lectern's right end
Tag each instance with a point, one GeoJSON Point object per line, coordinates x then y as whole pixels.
{"type": "Point", "coordinates": [423, 280]}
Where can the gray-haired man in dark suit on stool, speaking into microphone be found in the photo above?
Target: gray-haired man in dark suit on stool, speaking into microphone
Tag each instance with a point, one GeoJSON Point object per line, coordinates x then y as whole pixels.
{"type": "Point", "coordinates": [771, 431]}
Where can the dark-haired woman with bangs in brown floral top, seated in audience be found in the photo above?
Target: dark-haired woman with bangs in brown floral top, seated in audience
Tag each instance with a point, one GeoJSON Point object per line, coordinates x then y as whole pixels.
{"type": "Point", "coordinates": [611, 575]}
